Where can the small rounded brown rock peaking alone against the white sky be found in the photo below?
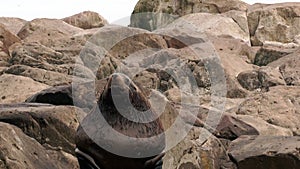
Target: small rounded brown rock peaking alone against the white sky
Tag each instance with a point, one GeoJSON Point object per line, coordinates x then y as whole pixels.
{"type": "Point", "coordinates": [86, 20]}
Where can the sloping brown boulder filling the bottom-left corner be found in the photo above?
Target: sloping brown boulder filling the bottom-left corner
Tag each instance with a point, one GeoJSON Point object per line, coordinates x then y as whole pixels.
{"type": "Point", "coordinates": [18, 150]}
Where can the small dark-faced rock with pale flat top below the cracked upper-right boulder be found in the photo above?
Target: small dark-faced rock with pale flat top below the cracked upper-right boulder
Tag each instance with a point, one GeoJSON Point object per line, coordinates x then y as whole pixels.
{"type": "Point", "coordinates": [268, 54]}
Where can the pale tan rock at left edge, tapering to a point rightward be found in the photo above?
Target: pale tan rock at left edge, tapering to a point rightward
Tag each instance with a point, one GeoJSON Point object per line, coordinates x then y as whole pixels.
{"type": "Point", "coordinates": [16, 89]}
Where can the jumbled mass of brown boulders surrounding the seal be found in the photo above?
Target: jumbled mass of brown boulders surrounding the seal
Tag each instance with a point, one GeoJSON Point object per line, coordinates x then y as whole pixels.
{"type": "Point", "coordinates": [228, 70]}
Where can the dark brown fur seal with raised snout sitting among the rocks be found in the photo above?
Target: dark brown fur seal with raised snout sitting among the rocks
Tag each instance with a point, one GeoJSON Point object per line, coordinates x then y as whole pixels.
{"type": "Point", "coordinates": [91, 135]}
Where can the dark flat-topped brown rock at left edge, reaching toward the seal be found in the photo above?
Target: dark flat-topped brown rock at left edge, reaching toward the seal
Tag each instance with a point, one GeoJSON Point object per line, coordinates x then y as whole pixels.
{"type": "Point", "coordinates": [49, 125]}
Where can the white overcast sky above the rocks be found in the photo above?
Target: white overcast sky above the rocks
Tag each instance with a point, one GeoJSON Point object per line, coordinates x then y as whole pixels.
{"type": "Point", "coordinates": [112, 10]}
